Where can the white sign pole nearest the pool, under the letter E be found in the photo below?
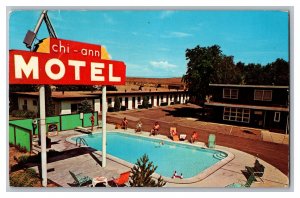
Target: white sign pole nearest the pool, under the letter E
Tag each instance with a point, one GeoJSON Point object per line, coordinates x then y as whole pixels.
{"type": "Point", "coordinates": [104, 109]}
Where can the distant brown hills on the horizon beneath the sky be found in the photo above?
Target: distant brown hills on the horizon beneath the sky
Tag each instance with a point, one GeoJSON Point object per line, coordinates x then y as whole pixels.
{"type": "Point", "coordinates": [162, 81]}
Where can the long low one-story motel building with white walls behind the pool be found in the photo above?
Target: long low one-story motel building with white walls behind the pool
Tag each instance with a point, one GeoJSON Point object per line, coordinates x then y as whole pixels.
{"type": "Point", "coordinates": [68, 102]}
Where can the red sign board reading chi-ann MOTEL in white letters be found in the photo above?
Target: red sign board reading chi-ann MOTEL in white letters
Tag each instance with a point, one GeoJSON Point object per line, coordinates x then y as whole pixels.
{"type": "Point", "coordinates": [65, 62]}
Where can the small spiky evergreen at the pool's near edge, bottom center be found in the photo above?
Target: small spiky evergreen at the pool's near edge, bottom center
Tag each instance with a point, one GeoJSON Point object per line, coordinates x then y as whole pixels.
{"type": "Point", "coordinates": [141, 174]}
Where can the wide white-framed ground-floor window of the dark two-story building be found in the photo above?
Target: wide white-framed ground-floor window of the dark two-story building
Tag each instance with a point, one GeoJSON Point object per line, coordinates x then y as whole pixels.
{"type": "Point", "coordinates": [236, 114]}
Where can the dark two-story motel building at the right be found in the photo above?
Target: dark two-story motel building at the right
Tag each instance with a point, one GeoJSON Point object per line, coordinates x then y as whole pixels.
{"type": "Point", "coordinates": [259, 106]}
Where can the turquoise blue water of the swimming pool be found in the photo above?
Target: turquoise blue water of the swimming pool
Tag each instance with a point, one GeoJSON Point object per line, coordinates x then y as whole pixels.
{"type": "Point", "coordinates": [185, 159]}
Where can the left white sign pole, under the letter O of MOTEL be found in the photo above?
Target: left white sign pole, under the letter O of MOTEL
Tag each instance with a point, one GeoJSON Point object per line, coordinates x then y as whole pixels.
{"type": "Point", "coordinates": [43, 135]}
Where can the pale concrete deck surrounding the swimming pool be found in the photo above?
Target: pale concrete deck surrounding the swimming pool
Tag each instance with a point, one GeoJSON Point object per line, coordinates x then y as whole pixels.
{"type": "Point", "coordinates": [88, 162]}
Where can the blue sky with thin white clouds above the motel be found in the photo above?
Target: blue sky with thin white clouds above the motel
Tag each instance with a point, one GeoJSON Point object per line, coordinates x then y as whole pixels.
{"type": "Point", "coordinates": [152, 43]}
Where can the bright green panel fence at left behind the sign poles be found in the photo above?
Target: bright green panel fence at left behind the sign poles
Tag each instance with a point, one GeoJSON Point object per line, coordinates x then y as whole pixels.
{"type": "Point", "coordinates": [20, 131]}
